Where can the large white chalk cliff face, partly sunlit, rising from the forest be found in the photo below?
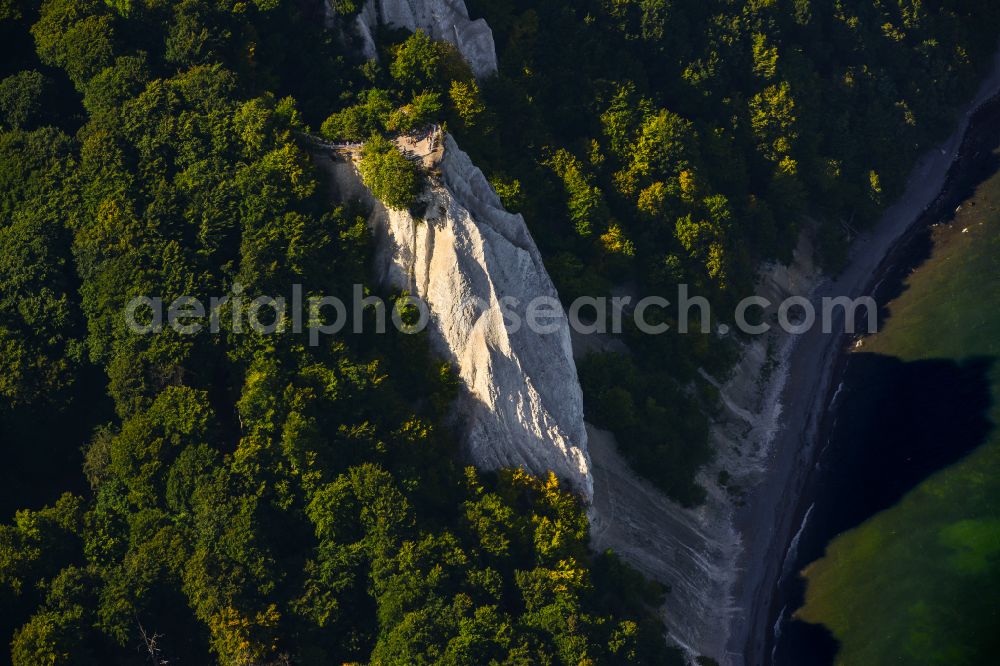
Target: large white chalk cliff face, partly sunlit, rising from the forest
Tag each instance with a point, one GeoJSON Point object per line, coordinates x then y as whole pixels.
{"type": "Point", "coordinates": [473, 262]}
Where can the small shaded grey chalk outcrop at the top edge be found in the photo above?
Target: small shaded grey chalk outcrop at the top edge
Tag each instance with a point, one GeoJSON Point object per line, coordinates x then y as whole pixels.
{"type": "Point", "coordinates": [444, 20]}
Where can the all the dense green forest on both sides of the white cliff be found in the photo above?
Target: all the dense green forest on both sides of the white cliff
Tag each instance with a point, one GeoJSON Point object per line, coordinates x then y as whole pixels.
{"type": "Point", "coordinates": [263, 501]}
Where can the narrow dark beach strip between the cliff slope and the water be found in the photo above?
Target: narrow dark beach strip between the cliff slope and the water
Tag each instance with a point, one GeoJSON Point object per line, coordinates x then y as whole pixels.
{"type": "Point", "coordinates": [813, 363]}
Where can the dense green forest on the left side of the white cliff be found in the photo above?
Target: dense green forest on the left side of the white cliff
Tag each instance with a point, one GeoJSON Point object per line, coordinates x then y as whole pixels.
{"type": "Point", "coordinates": [248, 497]}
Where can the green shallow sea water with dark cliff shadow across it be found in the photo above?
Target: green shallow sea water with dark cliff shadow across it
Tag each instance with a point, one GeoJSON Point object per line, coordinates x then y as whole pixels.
{"type": "Point", "coordinates": [913, 576]}
